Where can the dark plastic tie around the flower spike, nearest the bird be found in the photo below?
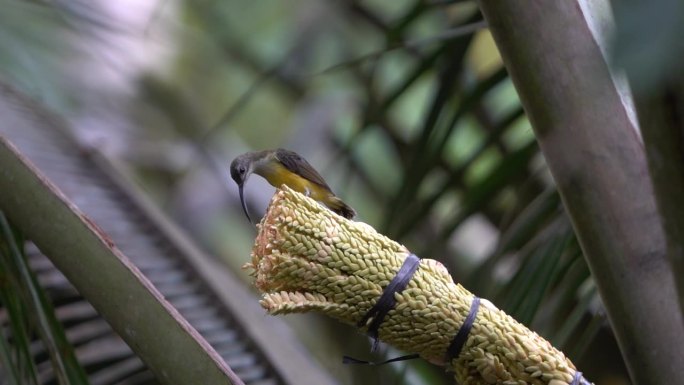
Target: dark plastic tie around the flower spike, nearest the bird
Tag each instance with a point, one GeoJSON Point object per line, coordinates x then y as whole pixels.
{"type": "Point", "coordinates": [387, 300]}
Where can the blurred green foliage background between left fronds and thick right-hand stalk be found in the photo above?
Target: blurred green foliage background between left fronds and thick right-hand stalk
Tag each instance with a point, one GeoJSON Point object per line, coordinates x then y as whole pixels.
{"type": "Point", "coordinates": [404, 107]}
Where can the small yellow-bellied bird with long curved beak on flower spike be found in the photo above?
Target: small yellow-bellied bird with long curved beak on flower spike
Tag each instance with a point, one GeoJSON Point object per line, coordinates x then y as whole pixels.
{"type": "Point", "coordinates": [284, 167]}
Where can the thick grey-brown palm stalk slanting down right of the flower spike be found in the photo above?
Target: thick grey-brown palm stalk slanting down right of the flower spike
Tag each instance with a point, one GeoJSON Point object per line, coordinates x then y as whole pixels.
{"type": "Point", "coordinates": [599, 165]}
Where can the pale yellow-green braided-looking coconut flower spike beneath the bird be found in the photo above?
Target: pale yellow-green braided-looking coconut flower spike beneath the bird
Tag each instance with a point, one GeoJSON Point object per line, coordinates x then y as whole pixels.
{"type": "Point", "coordinates": [306, 258]}
